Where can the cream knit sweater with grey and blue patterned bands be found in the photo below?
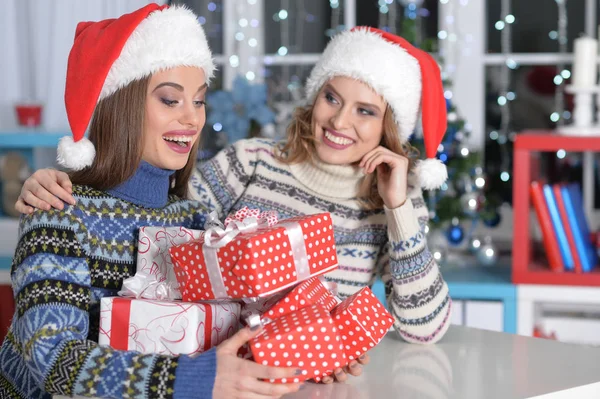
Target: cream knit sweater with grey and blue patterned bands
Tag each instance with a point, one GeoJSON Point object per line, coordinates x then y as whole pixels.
{"type": "Point", "coordinates": [386, 242]}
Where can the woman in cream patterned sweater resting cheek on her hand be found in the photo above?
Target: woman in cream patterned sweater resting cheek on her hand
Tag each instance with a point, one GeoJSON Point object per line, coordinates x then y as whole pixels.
{"type": "Point", "coordinates": [346, 153]}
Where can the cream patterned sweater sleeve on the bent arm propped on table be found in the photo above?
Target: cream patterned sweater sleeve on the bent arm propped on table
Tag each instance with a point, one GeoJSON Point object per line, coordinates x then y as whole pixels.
{"type": "Point", "coordinates": [417, 294]}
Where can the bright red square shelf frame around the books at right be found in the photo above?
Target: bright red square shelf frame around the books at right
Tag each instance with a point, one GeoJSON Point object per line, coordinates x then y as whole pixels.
{"type": "Point", "coordinates": [526, 270]}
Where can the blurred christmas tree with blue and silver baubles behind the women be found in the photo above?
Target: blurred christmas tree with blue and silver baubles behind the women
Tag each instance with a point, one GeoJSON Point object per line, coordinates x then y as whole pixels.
{"type": "Point", "coordinates": [457, 208]}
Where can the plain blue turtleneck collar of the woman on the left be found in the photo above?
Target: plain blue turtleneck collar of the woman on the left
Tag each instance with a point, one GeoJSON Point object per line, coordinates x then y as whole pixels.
{"type": "Point", "coordinates": [148, 187]}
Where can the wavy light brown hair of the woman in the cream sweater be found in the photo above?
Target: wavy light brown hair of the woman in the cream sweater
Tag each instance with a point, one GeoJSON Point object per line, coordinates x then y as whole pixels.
{"type": "Point", "coordinates": [300, 147]}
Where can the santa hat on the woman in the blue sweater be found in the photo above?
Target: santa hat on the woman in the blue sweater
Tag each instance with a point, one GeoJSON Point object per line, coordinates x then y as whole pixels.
{"type": "Point", "coordinates": [109, 54]}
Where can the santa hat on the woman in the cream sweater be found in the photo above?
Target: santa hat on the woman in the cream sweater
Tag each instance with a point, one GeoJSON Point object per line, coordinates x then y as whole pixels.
{"type": "Point", "coordinates": [407, 78]}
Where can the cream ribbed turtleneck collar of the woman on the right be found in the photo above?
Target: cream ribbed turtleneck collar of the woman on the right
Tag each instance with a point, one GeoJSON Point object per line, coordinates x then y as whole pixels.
{"type": "Point", "coordinates": [336, 181]}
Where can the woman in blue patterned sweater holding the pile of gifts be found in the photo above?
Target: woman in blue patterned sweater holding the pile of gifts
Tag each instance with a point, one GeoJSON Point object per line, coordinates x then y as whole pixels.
{"type": "Point", "coordinates": [143, 87]}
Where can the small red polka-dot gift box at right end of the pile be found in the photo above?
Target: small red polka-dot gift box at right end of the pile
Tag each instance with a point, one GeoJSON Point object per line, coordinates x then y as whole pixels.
{"type": "Point", "coordinates": [362, 322]}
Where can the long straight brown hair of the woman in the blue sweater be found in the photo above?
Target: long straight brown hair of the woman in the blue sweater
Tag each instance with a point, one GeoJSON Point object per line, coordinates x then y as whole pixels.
{"type": "Point", "coordinates": [116, 131]}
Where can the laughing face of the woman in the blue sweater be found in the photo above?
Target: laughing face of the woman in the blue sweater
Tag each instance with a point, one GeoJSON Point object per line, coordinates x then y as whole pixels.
{"type": "Point", "coordinates": [174, 116]}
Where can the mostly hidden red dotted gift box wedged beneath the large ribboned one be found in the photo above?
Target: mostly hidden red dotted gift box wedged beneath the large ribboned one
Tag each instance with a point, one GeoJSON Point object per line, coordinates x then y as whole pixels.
{"type": "Point", "coordinates": [307, 293]}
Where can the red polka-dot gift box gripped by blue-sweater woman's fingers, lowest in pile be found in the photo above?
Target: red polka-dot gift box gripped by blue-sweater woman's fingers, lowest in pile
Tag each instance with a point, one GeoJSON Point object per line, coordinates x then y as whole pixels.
{"type": "Point", "coordinates": [306, 339]}
